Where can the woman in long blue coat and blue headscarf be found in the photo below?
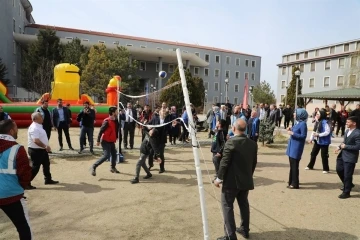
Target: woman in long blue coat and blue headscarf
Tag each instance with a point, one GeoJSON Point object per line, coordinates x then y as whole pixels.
{"type": "Point", "coordinates": [296, 146]}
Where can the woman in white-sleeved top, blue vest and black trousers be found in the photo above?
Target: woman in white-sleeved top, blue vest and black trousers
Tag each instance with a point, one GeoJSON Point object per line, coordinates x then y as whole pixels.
{"type": "Point", "coordinates": [322, 139]}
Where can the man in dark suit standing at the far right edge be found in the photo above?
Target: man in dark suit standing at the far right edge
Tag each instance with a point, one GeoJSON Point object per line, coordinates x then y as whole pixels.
{"type": "Point", "coordinates": [348, 156]}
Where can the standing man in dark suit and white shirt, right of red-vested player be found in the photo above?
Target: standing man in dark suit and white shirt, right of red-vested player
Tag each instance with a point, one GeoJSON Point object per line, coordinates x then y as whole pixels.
{"type": "Point", "coordinates": [129, 125]}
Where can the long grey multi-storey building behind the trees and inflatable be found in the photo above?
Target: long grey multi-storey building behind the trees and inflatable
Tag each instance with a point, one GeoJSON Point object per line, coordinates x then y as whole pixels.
{"type": "Point", "coordinates": [213, 65]}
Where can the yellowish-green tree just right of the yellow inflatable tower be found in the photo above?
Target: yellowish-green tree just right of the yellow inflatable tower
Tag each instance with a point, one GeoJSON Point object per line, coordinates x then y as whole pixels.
{"type": "Point", "coordinates": [95, 76]}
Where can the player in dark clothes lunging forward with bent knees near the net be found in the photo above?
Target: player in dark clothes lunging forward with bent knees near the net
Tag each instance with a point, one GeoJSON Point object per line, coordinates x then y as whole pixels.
{"type": "Point", "coordinates": [150, 142]}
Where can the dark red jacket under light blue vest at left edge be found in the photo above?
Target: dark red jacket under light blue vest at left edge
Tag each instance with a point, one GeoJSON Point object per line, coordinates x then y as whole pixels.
{"type": "Point", "coordinates": [23, 169]}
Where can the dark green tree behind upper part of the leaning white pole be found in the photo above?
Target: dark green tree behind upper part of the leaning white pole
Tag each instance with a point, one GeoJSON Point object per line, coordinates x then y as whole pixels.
{"type": "Point", "coordinates": [174, 96]}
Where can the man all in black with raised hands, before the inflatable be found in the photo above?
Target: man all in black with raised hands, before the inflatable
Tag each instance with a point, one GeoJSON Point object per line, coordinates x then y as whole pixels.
{"type": "Point", "coordinates": [87, 118]}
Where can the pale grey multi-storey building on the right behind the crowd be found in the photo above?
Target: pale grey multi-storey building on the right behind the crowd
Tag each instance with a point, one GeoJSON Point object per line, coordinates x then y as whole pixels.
{"type": "Point", "coordinates": [323, 68]}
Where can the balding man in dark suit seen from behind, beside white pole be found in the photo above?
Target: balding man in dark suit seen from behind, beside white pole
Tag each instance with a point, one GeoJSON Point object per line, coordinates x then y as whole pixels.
{"type": "Point", "coordinates": [236, 174]}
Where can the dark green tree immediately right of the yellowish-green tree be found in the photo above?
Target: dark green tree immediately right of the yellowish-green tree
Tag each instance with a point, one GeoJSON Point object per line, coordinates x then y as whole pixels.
{"type": "Point", "coordinates": [119, 65]}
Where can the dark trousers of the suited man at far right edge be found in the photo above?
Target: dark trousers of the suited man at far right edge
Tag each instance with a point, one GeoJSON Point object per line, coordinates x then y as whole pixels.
{"type": "Point", "coordinates": [345, 171]}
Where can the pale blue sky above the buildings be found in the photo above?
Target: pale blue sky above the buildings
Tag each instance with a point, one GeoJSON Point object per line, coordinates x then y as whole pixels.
{"type": "Point", "coordinates": [268, 28]}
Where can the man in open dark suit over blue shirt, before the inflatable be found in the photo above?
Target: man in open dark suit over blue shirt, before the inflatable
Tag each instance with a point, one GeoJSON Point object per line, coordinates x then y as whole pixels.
{"type": "Point", "coordinates": [61, 119]}
